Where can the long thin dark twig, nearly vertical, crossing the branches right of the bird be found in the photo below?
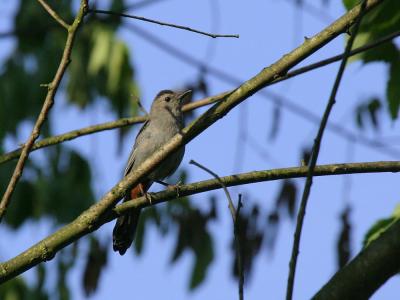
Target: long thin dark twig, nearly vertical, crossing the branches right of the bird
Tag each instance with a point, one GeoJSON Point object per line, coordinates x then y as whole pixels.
{"type": "Point", "coordinates": [314, 157]}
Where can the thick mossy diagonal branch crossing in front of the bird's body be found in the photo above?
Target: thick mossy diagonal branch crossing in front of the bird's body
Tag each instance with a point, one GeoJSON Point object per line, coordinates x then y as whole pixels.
{"type": "Point", "coordinates": [91, 218]}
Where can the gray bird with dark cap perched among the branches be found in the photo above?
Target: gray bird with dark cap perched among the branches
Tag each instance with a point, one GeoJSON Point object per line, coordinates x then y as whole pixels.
{"type": "Point", "coordinates": [165, 121]}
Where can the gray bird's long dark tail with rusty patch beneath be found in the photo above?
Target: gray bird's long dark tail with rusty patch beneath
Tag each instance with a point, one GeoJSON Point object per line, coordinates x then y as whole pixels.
{"type": "Point", "coordinates": [125, 227]}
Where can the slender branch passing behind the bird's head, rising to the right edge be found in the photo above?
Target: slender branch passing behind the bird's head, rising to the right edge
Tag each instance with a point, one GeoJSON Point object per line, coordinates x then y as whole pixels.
{"type": "Point", "coordinates": [203, 102]}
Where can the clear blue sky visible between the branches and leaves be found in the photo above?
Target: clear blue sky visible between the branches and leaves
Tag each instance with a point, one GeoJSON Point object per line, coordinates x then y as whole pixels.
{"type": "Point", "coordinates": [268, 29]}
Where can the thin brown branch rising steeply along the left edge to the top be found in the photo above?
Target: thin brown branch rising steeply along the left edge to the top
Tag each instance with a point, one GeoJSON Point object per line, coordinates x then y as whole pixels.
{"type": "Point", "coordinates": [48, 103]}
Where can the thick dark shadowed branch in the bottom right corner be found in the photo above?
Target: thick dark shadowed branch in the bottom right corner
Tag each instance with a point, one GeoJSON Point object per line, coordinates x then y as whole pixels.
{"type": "Point", "coordinates": [369, 270]}
